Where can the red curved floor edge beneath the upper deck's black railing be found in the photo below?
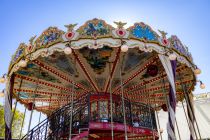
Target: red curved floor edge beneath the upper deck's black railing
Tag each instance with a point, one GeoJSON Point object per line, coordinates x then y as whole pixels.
{"type": "Point", "coordinates": [103, 131]}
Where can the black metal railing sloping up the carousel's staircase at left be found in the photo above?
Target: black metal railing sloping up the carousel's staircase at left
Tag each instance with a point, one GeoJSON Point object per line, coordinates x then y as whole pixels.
{"type": "Point", "coordinates": [56, 126]}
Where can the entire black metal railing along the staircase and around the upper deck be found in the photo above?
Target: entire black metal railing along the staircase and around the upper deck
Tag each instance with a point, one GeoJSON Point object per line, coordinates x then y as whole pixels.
{"type": "Point", "coordinates": [57, 125]}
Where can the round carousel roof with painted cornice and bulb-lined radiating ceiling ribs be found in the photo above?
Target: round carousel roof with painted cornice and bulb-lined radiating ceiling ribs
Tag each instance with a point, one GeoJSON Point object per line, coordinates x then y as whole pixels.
{"type": "Point", "coordinates": [47, 74]}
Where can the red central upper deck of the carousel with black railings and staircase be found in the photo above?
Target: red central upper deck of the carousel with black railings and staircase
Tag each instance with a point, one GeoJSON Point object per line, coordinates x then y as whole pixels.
{"type": "Point", "coordinates": [91, 120]}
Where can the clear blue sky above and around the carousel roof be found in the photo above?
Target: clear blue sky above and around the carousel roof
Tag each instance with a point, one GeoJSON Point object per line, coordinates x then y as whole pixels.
{"type": "Point", "coordinates": [189, 20]}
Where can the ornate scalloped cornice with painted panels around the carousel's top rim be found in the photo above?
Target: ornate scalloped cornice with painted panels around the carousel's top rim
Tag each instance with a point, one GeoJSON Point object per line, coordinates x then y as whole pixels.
{"type": "Point", "coordinates": [97, 33]}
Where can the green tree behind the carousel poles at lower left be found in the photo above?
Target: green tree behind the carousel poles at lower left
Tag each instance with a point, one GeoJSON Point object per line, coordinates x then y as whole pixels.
{"type": "Point", "coordinates": [16, 125]}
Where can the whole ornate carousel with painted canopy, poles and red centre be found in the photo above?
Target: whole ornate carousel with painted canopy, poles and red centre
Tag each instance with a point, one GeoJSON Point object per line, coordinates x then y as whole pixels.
{"type": "Point", "coordinates": [101, 82]}
